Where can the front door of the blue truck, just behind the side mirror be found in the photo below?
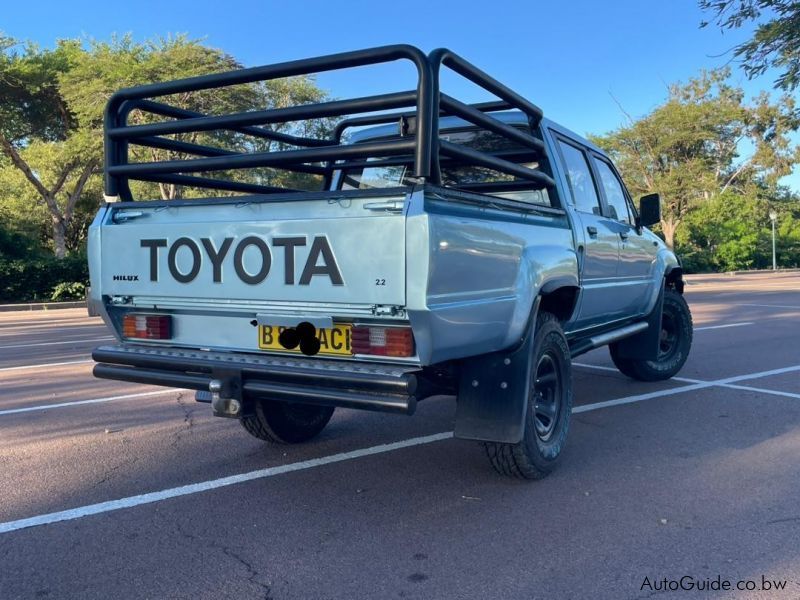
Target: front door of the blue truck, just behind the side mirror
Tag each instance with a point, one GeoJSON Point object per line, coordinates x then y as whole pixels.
{"type": "Point", "coordinates": [636, 252]}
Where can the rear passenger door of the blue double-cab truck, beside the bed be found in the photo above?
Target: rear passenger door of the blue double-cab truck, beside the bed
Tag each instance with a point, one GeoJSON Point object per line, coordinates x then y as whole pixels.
{"type": "Point", "coordinates": [599, 250]}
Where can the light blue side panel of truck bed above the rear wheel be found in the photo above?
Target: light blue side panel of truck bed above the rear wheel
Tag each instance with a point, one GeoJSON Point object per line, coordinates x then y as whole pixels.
{"type": "Point", "coordinates": [473, 273]}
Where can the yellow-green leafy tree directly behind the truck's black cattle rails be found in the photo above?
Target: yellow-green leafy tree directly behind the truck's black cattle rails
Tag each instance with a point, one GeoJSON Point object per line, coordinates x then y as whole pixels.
{"type": "Point", "coordinates": [109, 66]}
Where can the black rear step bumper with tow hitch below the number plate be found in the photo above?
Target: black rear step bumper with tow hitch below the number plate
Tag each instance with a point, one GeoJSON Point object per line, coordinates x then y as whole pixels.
{"type": "Point", "coordinates": [248, 377]}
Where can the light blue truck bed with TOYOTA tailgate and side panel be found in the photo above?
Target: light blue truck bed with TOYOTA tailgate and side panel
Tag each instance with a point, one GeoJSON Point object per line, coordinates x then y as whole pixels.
{"type": "Point", "coordinates": [460, 271]}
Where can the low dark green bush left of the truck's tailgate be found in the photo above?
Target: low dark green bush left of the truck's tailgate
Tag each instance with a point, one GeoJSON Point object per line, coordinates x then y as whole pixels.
{"type": "Point", "coordinates": [41, 278]}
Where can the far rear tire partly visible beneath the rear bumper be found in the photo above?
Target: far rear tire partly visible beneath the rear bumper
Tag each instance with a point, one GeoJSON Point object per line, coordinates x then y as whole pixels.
{"type": "Point", "coordinates": [286, 422]}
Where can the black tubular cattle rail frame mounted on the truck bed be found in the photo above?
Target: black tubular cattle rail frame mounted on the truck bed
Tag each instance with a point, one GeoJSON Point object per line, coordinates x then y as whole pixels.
{"type": "Point", "coordinates": [316, 156]}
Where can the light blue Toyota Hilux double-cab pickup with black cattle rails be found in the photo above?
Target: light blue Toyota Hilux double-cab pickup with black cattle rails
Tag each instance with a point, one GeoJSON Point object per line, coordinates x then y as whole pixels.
{"type": "Point", "coordinates": [448, 248]}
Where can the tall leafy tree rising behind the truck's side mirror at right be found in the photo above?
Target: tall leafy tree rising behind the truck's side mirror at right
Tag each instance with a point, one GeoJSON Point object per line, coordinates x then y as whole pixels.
{"type": "Point", "coordinates": [687, 149]}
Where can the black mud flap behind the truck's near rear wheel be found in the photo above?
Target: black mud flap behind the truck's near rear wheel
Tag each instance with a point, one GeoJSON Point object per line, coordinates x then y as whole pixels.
{"type": "Point", "coordinates": [493, 392]}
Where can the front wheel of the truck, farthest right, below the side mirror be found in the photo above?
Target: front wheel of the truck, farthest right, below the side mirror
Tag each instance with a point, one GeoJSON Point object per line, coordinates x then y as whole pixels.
{"type": "Point", "coordinates": [674, 344]}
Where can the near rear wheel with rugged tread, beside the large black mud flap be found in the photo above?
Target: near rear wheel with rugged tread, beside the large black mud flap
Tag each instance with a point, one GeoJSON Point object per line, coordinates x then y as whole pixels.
{"type": "Point", "coordinates": [549, 408]}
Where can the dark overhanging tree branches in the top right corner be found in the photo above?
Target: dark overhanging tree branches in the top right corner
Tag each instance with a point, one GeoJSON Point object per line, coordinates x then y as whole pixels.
{"type": "Point", "coordinates": [776, 41]}
